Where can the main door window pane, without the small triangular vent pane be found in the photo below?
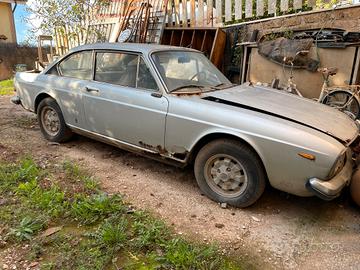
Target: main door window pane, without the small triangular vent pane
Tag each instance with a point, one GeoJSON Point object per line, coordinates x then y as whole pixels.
{"type": "Point", "coordinates": [116, 68]}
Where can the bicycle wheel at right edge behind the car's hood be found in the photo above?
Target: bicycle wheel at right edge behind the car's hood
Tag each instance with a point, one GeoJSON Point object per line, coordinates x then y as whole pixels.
{"type": "Point", "coordinates": [344, 101]}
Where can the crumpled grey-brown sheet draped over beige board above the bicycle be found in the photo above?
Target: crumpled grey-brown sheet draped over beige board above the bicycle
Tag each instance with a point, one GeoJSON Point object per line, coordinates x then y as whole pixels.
{"type": "Point", "coordinates": [282, 48]}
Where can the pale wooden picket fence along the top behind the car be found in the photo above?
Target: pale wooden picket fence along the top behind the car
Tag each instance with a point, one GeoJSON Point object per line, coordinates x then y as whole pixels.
{"type": "Point", "coordinates": [180, 13]}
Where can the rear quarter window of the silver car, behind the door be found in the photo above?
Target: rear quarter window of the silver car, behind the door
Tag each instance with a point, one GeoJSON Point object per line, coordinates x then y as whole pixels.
{"type": "Point", "coordinates": [77, 65]}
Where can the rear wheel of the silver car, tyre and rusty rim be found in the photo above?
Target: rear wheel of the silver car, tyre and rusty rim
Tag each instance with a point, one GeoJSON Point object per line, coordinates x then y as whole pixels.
{"type": "Point", "coordinates": [51, 121]}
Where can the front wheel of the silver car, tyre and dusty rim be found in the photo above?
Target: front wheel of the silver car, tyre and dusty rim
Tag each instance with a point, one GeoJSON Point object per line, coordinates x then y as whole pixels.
{"type": "Point", "coordinates": [228, 171]}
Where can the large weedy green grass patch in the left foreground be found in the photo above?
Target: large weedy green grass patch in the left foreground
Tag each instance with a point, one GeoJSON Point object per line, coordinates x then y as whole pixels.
{"type": "Point", "coordinates": [98, 231]}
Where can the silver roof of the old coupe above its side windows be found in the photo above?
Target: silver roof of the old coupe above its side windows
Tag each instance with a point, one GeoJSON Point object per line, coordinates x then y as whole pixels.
{"type": "Point", "coordinates": [133, 47]}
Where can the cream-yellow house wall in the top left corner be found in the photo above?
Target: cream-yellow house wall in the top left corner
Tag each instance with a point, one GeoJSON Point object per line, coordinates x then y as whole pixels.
{"type": "Point", "coordinates": [7, 26]}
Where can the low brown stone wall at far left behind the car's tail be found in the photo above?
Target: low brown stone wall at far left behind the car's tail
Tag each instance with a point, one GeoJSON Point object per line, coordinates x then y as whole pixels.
{"type": "Point", "coordinates": [12, 54]}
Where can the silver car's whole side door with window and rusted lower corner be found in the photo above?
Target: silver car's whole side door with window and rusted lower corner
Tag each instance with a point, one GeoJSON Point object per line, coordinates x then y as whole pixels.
{"type": "Point", "coordinates": [123, 101]}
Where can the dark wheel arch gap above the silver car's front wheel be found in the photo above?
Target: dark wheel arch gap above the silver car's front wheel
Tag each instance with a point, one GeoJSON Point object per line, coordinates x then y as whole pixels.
{"type": "Point", "coordinates": [222, 135]}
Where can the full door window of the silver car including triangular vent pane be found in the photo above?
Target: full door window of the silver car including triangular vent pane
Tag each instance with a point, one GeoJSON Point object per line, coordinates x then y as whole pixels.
{"type": "Point", "coordinates": [124, 69]}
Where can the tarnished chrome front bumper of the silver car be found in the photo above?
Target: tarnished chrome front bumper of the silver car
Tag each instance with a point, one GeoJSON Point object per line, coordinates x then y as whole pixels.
{"type": "Point", "coordinates": [330, 189]}
